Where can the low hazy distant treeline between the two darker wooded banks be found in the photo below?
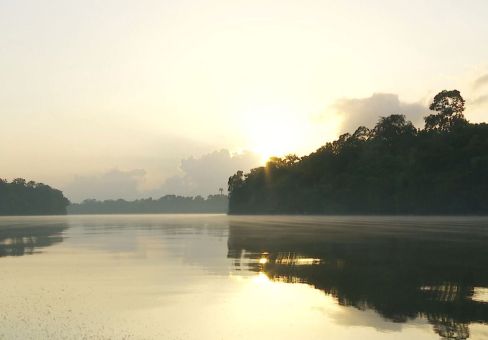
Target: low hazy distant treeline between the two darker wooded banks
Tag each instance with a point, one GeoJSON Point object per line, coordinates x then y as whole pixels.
{"type": "Point", "coordinates": [165, 204]}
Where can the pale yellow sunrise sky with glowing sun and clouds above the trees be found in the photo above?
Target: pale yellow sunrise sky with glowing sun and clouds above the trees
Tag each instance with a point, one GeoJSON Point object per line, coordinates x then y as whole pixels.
{"type": "Point", "coordinates": [109, 99]}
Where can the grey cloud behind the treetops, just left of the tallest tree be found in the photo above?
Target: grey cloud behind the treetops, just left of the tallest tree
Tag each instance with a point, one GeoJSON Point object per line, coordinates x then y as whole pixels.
{"type": "Point", "coordinates": [366, 111]}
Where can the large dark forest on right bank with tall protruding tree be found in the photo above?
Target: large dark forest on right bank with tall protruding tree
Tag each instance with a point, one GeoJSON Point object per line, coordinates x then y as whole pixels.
{"type": "Point", "coordinates": [392, 168]}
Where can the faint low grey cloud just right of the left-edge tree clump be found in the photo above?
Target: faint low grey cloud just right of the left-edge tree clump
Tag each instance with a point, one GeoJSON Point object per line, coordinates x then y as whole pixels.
{"type": "Point", "coordinates": [110, 185]}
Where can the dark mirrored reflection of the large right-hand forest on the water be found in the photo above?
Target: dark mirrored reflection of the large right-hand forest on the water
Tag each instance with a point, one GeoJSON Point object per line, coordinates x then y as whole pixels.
{"type": "Point", "coordinates": [422, 273]}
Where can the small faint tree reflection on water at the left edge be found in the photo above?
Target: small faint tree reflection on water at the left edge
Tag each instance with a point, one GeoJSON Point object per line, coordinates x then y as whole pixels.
{"type": "Point", "coordinates": [26, 240]}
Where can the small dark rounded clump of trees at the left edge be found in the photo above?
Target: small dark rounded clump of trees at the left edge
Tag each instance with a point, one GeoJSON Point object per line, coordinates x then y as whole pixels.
{"type": "Point", "coordinates": [20, 197]}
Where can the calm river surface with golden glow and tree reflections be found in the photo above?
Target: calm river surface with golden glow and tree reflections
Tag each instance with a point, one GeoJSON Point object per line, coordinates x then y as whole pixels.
{"type": "Point", "coordinates": [220, 277]}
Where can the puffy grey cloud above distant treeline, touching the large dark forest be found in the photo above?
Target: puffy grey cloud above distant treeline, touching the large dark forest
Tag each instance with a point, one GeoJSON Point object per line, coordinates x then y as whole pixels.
{"type": "Point", "coordinates": [205, 175]}
